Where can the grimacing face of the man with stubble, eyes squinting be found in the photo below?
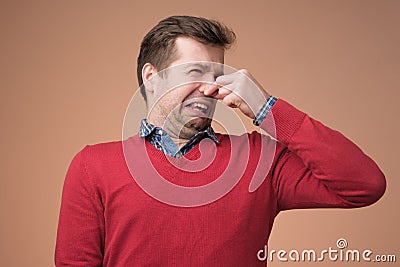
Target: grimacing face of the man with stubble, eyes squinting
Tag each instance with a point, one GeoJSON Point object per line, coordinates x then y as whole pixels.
{"type": "Point", "coordinates": [182, 110]}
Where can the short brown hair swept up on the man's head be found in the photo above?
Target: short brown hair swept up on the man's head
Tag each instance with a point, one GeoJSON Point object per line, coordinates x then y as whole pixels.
{"type": "Point", "coordinates": [158, 46]}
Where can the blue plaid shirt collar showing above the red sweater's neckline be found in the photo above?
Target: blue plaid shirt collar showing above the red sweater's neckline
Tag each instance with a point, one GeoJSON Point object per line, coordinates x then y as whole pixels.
{"type": "Point", "coordinates": [160, 139]}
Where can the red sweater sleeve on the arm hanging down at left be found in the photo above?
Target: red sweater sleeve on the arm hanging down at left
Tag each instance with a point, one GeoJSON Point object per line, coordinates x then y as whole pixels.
{"type": "Point", "coordinates": [80, 235]}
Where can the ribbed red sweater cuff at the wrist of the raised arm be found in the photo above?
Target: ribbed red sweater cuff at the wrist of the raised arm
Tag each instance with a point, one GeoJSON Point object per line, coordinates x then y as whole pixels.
{"type": "Point", "coordinates": [283, 121]}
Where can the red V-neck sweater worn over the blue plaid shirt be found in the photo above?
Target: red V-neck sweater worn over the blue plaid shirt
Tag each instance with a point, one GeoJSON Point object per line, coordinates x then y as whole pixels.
{"type": "Point", "coordinates": [106, 219]}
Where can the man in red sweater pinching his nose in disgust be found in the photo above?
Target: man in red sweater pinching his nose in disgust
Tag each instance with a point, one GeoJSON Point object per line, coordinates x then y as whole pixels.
{"type": "Point", "coordinates": [111, 214]}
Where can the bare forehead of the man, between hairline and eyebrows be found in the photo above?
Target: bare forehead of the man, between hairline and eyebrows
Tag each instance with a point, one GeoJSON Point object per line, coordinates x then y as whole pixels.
{"type": "Point", "coordinates": [188, 50]}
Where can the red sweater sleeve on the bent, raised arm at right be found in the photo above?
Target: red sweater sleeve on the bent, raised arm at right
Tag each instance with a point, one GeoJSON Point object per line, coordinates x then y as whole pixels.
{"type": "Point", "coordinates": [317, 166]}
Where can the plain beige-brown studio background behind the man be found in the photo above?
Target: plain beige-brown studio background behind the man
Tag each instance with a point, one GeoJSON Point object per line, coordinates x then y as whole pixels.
{"type": "Point", "coordinates": [68, 72]}
